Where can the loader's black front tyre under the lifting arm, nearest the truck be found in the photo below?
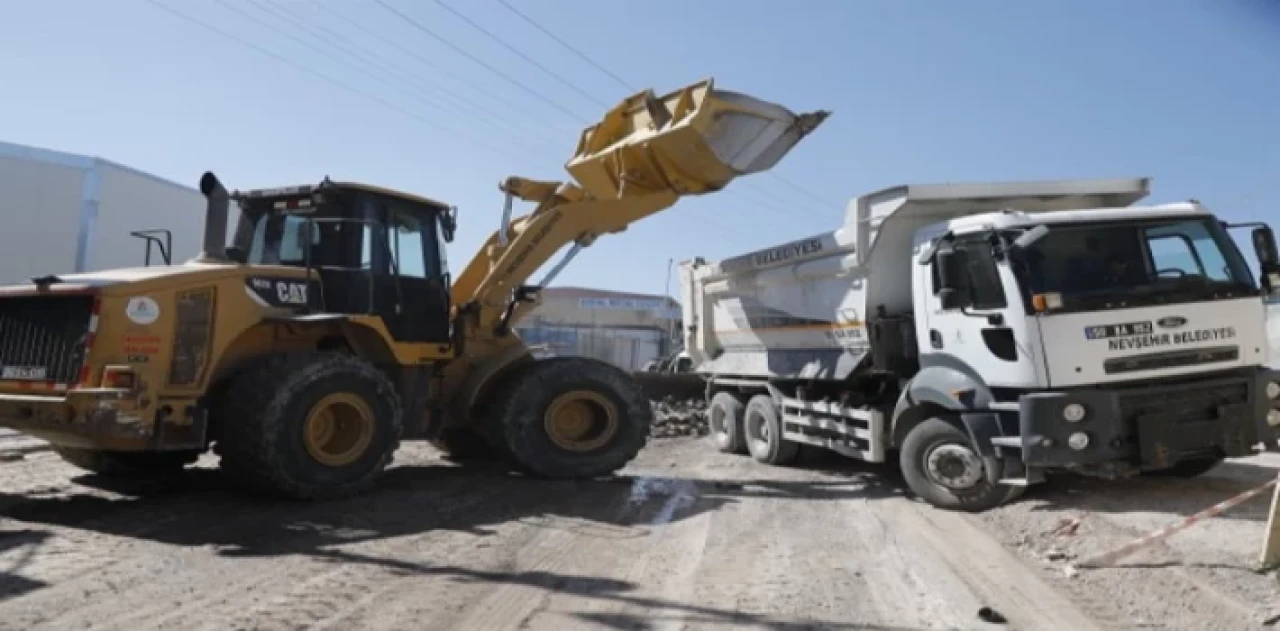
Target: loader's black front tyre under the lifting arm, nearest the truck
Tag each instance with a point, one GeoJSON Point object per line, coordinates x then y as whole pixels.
{"type": "Point", "coordinates": [620, 418]}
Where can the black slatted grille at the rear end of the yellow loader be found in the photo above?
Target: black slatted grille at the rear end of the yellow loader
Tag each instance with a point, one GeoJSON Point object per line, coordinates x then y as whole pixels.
{"type": "Point", "coordinates": [44, 339]}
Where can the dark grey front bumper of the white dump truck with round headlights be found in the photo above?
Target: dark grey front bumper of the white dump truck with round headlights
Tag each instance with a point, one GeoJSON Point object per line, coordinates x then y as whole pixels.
{"type": "Point", "coordinates": [1151, 427]}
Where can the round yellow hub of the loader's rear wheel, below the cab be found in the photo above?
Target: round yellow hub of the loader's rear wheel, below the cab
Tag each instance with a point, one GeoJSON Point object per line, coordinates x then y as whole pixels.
{"type": "Point", "coordinates": [339, 429]}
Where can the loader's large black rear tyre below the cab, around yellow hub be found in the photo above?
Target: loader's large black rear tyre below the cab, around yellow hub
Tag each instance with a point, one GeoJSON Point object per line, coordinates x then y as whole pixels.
{"type": "Point", "coordinates": [263, 437]}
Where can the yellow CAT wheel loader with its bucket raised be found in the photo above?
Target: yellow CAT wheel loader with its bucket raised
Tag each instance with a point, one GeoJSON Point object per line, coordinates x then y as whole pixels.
{"type": "Point", "coordinates": [331, 330]}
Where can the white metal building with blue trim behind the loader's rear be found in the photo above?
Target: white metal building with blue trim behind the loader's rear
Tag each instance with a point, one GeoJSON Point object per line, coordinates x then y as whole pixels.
{"type": "Point", "coordinates": [70, 213]}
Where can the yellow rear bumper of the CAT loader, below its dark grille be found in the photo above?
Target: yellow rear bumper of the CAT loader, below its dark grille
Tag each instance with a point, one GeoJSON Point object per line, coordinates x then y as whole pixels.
{"type": "Point", "coordinates": [92, 419]}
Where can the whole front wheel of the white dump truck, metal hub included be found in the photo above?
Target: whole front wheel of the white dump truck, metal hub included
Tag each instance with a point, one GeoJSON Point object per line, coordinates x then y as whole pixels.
{"type": "Point", "coordinates": [943, 468]}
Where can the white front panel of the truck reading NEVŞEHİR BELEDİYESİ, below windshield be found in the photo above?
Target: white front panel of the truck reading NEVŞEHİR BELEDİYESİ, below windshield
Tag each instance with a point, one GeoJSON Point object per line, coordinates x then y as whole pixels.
{"type": "Point", "coordinates": [1154, 342]}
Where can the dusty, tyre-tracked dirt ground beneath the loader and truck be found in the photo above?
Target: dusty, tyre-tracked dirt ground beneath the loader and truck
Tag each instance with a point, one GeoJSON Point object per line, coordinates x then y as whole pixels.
{"type": "Point", "coordinates": [684, 539]}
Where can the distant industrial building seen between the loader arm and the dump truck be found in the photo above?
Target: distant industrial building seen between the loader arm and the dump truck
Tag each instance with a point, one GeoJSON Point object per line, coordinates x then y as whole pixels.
{"type": "Point", "coordinates": [625, 330]}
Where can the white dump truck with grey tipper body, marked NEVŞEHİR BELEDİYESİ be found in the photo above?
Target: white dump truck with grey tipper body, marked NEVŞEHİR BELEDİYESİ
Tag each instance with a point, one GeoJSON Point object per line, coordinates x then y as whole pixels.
{"type": "Point", "coordinates": [990, 333]}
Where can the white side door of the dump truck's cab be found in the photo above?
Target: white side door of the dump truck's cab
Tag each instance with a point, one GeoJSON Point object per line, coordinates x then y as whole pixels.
{"type": "Point", "coordinates": [990, 337]}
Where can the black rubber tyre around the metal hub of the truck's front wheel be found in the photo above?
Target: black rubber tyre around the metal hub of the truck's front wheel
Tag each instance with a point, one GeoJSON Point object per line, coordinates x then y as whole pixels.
{"type": "Point", "coordinates": [982, 495]}
